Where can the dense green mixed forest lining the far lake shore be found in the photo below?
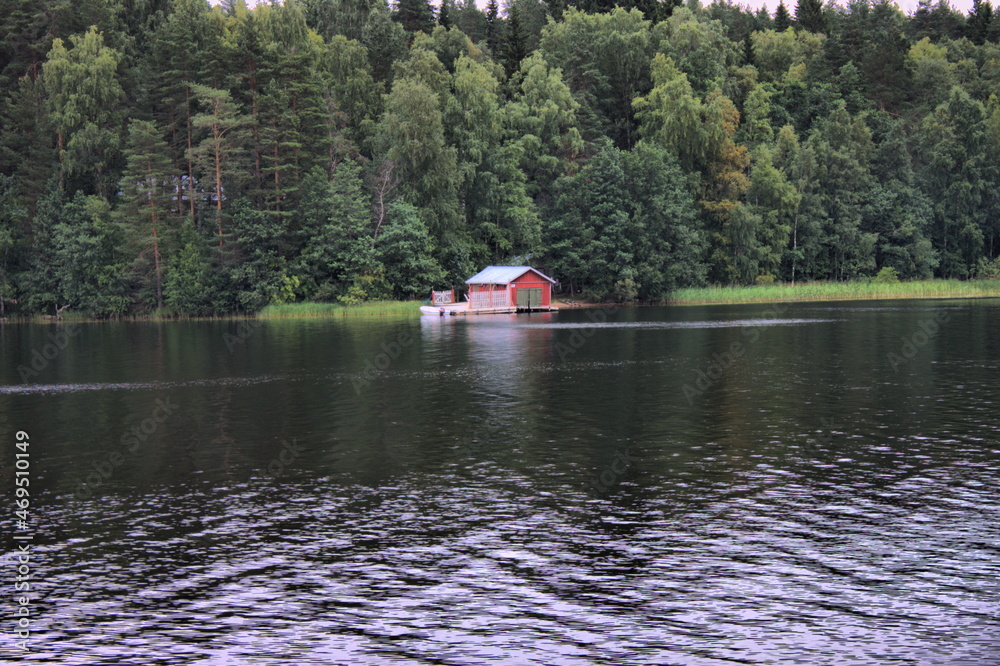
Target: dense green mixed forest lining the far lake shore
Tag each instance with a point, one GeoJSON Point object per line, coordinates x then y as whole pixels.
{"type": "Point", "coordinates": [176, 158]}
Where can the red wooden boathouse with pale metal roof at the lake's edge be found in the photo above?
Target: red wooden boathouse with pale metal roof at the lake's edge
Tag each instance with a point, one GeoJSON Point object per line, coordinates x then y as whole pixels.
{"type": "Point", "coordinates": [510, 289]}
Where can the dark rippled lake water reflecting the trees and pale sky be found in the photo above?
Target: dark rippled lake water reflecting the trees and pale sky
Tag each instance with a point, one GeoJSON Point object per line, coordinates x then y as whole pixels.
{"type": "Point", "coordinates": [814, 483]}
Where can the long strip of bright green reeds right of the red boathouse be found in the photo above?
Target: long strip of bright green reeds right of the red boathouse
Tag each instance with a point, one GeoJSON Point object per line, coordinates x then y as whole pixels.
{"type": "Point", "coordinates": [836, 291]}
